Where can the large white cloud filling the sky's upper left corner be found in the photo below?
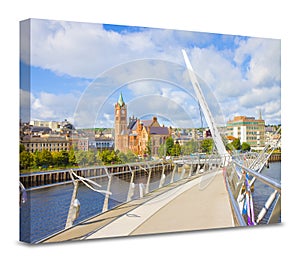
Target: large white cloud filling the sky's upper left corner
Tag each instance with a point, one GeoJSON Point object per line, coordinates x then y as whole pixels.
{"type": "Point", "coordinates": [86, 50]}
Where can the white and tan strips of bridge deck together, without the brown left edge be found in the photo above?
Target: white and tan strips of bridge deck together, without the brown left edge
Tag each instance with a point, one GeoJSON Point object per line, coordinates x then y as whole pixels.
{"type": "Point", "coordinates": [202, 203]}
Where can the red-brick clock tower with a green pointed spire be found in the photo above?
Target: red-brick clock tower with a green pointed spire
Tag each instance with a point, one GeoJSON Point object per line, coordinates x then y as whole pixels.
{"type": "Point", "coordinates": [121, 139]}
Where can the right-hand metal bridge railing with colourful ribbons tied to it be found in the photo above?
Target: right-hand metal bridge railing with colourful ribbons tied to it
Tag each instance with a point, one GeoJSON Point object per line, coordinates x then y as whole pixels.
{"type": "Point", "coordinates": [240, 178]}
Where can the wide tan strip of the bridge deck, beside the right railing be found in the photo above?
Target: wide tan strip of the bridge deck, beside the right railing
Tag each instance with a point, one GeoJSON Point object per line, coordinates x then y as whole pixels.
{"type": "Point", "coordinates": [196, 208]}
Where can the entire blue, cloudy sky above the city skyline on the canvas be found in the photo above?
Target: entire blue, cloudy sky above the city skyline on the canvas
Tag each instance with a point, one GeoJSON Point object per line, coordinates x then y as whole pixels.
{"type": "Point", "coordinates": [78, 70]}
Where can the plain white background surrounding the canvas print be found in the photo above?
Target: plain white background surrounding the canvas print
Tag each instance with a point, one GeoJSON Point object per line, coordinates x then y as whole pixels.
{"type": "Point", "coordinates": [272, 19]}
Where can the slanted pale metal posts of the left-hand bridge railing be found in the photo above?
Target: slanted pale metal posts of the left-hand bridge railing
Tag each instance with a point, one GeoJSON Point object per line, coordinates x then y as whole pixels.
{"type": "Point", "coordinates": [184, 167]}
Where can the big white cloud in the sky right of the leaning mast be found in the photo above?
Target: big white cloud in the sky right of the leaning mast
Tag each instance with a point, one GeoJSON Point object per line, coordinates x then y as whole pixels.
{"type": "Point", "coordinates": [252, 80]}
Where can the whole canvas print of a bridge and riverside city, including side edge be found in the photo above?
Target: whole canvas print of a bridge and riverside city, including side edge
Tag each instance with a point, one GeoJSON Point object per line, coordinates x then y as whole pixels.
{"type": "Point", "coordinates": [127, 130]}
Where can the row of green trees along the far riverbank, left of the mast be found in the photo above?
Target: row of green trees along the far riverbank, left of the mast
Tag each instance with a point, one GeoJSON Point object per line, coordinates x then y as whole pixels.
{"type": "Point", "coordinates": [47, 160]}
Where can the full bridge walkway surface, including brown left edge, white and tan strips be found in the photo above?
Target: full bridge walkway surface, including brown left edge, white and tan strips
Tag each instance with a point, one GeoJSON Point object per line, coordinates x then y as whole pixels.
{"type": "Point", "coordinates": [193, 203]}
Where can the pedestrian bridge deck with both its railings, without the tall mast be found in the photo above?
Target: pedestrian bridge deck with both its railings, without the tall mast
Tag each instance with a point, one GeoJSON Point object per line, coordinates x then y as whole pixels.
{"type": "Point", "coordinates": [206, 195]}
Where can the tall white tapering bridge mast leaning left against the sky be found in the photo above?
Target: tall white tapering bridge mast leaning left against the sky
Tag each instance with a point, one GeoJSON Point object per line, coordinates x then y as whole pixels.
{"type": "Point", "coordinates": [207, 114]}
